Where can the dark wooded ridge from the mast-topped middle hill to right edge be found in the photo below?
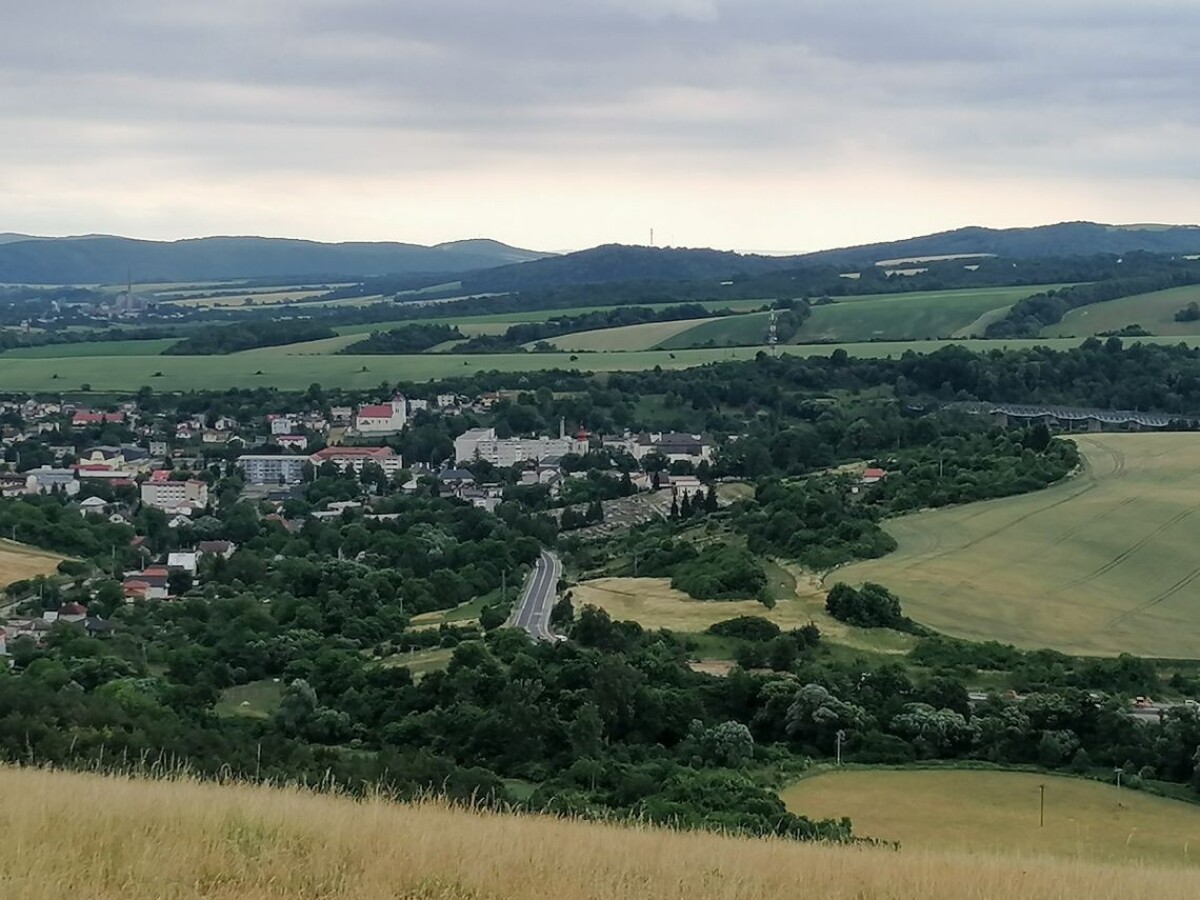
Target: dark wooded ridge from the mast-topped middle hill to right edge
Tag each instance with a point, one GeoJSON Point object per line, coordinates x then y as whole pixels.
{"type": "Point", "coordinates": [619, 262]}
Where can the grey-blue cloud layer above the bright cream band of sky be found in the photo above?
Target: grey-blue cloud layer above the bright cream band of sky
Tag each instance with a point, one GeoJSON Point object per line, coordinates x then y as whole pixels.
{"type": "Point", "coordinates": [316, 85]}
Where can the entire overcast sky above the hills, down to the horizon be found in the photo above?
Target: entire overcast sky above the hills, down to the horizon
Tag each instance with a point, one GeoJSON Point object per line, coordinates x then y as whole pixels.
{"type": "Point", "coordinates": [765, 125]}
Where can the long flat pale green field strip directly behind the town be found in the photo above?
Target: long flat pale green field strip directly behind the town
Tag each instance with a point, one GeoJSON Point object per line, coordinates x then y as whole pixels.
{"type": "Point", "coordinates": [296, 373]}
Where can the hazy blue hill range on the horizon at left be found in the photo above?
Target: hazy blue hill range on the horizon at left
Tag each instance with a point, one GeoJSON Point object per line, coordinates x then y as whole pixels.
{"type": "Point", "coordinates": [109, 260]}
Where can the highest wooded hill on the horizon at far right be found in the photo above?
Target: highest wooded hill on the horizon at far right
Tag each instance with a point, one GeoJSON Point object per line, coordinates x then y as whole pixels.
{"type": "Point", "coordinates": [1066, 239]}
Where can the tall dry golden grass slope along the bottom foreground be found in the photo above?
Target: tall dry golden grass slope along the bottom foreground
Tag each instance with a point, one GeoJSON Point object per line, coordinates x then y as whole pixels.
{"type": "Point", "coordinates": [69, 836]}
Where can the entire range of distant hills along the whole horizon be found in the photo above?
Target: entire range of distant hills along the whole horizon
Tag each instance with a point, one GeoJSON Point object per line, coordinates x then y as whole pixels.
{"type": "Point", "coordinates": [487, 266]}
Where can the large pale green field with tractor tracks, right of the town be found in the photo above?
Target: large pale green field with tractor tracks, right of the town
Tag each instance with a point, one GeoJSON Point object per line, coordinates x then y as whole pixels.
{"type": "Point", "coordinates": [1101, 565]}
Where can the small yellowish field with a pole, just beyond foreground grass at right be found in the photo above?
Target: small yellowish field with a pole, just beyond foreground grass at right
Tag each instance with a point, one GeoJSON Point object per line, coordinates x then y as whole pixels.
{"type": "Point", "coordinates": [998, 813]}
